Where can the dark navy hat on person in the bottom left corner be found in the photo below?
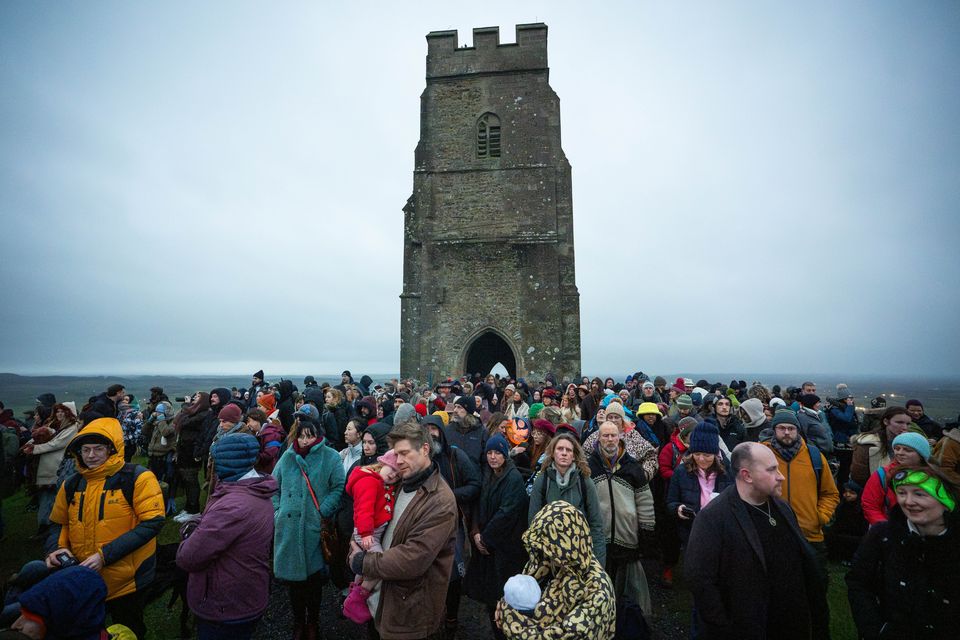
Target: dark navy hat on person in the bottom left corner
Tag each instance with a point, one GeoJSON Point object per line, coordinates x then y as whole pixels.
{"type": "Point", "coordinates": [70, 602]}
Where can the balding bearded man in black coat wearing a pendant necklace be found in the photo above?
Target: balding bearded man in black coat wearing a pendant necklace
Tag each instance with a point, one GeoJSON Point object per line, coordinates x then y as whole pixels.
{"type": "Point", "coordinates": [752, 573]}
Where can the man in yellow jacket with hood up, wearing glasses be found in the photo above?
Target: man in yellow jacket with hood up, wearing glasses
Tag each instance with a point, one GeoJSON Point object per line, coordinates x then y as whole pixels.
{"type": "Point", "coordinates": [110, 514]}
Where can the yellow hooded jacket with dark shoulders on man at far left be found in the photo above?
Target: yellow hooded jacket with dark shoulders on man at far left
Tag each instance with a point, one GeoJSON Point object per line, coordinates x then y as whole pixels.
{"type": "Point", "coordinates": [100, 520]}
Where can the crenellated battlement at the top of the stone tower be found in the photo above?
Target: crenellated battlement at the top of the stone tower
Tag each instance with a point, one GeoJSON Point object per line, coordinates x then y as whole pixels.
{"type": "Point", "coordinates": [446, 58]}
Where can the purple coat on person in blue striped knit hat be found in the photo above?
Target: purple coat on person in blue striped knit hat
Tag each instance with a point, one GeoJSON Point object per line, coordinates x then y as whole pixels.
{"type": "Point", "coordinates": [228, 555]}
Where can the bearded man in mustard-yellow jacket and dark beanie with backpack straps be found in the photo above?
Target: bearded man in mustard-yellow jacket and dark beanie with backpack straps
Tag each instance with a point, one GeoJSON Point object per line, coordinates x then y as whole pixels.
{"type": "Point", "coordinates": [808, 485]}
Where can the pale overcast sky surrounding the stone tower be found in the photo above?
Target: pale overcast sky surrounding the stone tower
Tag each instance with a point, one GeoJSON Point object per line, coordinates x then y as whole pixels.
{"type": "Point", "coordinates": [214, 187]}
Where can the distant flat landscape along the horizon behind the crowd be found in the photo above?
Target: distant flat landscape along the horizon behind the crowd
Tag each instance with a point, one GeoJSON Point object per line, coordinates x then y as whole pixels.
{"type": "Point", "coordinates": [940, 395]}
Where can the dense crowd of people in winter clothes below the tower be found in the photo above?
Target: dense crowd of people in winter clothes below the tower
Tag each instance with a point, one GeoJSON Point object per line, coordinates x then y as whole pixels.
{"type": "Point", "coordinates": [541, 501]}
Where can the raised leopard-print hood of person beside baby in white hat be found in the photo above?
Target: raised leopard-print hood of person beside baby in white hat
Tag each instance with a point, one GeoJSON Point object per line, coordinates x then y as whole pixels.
{"type": "Point", "coordinates": [552, 556]}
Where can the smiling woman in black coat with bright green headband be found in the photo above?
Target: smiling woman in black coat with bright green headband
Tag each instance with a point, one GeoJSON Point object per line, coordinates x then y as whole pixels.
{"type": "Point", "coordinates": [904, 583]}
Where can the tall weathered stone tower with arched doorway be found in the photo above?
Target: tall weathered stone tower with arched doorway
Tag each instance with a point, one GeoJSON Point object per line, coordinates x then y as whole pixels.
{"type": "Point", "coordinates": [488, 264]}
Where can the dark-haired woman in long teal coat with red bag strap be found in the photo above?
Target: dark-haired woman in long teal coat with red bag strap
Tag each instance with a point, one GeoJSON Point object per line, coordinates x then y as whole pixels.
{"type": "Point", "coordinates": [310, 476]}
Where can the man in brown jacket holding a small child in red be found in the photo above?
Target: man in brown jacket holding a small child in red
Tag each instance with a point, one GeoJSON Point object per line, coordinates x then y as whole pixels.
{"type": "Point", "coordinates": [418, 544]}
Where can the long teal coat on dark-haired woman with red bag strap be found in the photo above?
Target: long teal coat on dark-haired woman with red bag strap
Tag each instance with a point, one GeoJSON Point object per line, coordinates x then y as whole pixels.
{"type": "Point", "coordinates": [297, 552]}
